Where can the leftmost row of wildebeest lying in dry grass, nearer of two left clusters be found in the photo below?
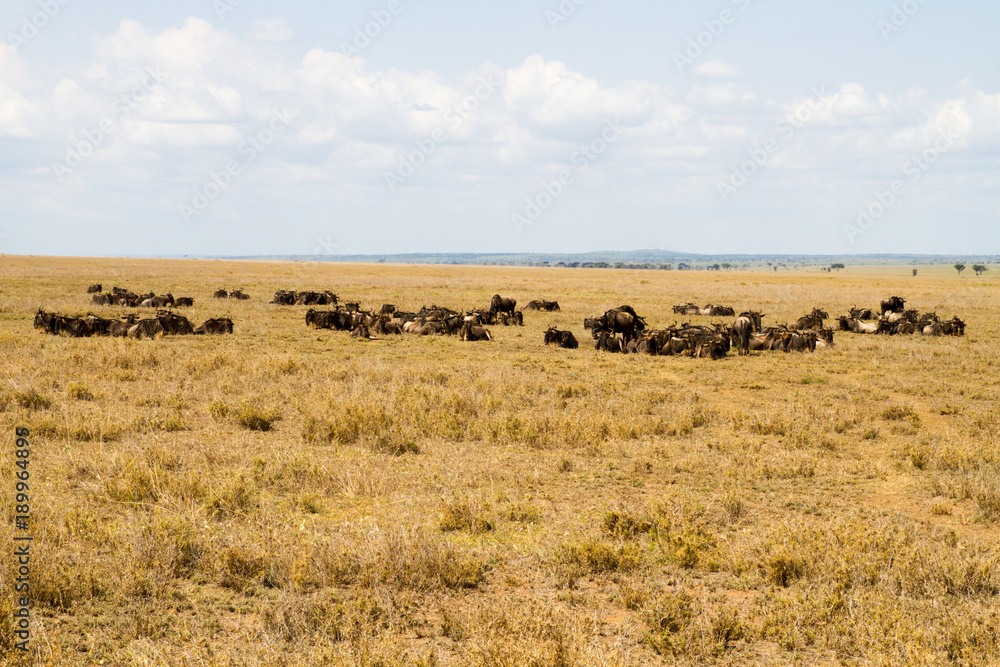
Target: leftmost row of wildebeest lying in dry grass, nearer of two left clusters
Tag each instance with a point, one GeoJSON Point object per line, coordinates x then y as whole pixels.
{"type": "Point", "coordinates": [131, 325]}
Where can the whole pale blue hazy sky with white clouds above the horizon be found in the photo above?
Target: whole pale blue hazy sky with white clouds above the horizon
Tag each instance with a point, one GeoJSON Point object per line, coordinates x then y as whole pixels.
{"type": "Point", "coordinates": [235, 127]}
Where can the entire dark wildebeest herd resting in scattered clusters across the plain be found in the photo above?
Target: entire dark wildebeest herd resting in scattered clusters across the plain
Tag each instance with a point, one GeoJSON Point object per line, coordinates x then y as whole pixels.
{"type": "Point", "coordinates": [618, 329]}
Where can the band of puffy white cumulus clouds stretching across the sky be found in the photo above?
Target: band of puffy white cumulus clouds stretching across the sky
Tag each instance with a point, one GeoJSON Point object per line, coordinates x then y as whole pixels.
{"type": "Point", "coordinates": [501, 128]}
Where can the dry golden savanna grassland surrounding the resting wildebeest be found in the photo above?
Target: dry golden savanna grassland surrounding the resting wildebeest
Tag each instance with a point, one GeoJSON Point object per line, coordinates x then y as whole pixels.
{"type": "Point", "coordinates": [288, 496]}
